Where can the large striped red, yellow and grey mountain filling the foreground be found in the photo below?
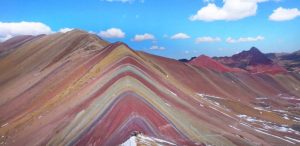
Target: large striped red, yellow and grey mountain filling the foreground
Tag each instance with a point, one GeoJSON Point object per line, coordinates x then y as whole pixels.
{"type": "Point", "coordinates": [75, 88]}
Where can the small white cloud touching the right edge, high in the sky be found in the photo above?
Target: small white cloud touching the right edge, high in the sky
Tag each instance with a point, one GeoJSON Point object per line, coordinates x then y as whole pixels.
{"type": "Point", "coordinates": [282, 14]}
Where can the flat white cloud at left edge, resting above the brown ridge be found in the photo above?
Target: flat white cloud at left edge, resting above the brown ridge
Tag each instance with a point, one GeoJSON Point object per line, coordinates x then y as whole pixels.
{"type": "Point", "coordinates": [11, 29]}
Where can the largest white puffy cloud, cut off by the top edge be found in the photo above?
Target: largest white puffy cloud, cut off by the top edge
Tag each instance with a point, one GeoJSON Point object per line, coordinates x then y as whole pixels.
{"type": "Point", "coordinates": [231, 10]}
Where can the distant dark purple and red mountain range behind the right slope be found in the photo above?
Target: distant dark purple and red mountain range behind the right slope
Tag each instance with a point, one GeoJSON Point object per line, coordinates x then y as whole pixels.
{"type": "Point", "coordinates": [252, 61]}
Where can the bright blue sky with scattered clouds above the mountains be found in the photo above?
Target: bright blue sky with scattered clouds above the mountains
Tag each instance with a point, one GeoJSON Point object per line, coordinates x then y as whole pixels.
{"type": "Point", "coordinates": [249, 25]}
